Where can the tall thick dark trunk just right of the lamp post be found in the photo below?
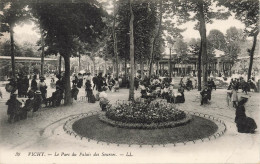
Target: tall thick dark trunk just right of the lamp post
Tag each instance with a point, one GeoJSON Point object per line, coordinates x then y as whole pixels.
{"type": "Point", "coordinates": [203, 36]}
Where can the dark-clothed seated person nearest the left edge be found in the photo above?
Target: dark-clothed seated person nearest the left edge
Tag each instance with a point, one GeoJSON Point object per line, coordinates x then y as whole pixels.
{"type": "Point", "coordinates": [13, 107]}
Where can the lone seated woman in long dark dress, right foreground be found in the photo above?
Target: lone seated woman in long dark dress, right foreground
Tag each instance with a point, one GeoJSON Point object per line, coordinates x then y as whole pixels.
{"type": "Point", "coordinates": [244, 124]}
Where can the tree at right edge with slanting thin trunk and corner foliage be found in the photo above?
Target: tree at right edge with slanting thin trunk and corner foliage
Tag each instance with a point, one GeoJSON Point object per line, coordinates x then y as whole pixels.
{"type": "Point", "coordinates": [247, 11]}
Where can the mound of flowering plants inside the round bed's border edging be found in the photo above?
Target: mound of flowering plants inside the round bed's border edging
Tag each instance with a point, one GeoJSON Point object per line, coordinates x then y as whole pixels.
{"type": "Point", "coordinates": [144, 112]}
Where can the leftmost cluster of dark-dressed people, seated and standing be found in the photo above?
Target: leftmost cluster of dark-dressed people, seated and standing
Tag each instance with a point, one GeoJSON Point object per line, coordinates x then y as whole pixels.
{"type": "Point", "coordinates": [18, 109]}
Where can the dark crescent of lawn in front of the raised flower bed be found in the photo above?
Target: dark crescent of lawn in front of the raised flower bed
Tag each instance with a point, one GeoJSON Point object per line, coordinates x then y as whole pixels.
{"type": "Point", "coordinates": [91, 127]}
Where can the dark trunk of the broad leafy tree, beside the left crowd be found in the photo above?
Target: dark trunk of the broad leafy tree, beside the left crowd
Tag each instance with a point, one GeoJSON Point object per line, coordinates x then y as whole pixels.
{"type": "Point", "coordinates": [67, 99]}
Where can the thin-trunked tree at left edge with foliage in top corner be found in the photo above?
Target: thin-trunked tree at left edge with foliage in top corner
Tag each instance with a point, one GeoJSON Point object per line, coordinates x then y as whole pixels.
{"type": "Point", "coordinates": [12, 12]}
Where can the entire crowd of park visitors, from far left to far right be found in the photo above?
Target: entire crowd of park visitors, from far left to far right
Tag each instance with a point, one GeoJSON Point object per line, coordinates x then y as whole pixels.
{"type": "Point", "coordinates": [150, 88]}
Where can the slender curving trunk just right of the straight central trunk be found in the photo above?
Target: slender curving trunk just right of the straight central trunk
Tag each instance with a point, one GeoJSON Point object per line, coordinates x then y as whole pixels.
{"type": "Point", "coordinates": [154, 41]}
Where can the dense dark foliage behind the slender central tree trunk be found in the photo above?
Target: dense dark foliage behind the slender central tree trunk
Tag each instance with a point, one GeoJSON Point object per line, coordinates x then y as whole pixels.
{"type": "Point", "coordinates": [145, 21]}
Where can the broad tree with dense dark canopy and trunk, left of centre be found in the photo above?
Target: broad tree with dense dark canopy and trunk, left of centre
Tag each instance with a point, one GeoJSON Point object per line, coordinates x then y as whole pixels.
{"type": "Point", "coordinates": [62, 27]}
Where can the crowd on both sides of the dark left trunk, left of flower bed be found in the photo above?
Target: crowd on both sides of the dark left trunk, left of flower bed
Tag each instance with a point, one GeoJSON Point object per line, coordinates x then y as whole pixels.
{"type": "Point", "coordinates": [35, 92]}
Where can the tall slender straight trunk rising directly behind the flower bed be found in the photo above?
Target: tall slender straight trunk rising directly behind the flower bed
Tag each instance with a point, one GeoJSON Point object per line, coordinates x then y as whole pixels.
{"type": "Point", "coordinates": [131, 24]}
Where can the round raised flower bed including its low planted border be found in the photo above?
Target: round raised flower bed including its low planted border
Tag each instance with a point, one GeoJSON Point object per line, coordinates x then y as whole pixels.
{"type": "Point", "coordinates": [144, 115]}
